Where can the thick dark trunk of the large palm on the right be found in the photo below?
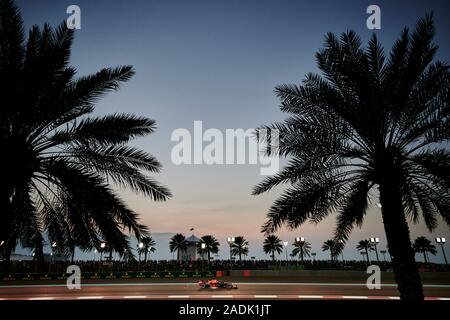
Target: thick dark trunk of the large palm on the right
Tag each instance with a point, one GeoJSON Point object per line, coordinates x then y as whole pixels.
{"type": "Point", "coordinates": [398, 238]}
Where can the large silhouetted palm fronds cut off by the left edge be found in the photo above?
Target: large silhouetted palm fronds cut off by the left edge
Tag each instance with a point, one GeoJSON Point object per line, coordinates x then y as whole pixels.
{"type": "Point", "coordinates": [58, 160]}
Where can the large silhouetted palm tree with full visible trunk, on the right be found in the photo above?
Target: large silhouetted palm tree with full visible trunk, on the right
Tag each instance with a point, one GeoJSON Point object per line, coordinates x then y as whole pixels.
{"type": "Point", "coordinates": [370, 121]}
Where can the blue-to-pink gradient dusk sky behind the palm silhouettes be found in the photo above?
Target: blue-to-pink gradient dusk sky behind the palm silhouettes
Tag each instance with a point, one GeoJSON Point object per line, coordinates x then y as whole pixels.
{"type": "Point", "coordinates": [219, 61]}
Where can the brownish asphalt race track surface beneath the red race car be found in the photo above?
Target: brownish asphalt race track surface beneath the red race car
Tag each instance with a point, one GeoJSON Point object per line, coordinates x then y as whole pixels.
{"type": "Point", "coordinates": [187, 290]}
